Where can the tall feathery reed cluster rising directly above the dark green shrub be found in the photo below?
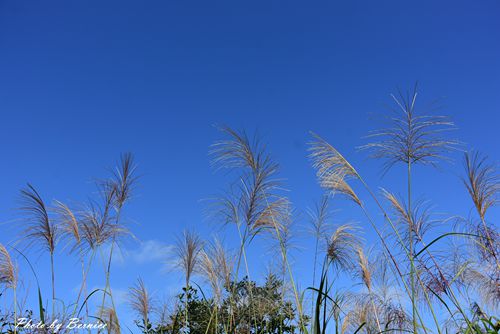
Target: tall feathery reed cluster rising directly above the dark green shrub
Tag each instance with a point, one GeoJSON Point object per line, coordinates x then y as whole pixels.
{"type": "Point", "coordinates": [255, 205]}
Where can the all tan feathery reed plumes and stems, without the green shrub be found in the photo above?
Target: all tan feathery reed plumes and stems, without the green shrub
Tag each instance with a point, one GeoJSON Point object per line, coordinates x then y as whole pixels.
{"type": "Point", "coordinates": [256, 206]}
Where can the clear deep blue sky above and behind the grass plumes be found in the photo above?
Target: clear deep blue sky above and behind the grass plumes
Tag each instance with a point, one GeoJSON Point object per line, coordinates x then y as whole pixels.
{"type": "Point", "coordinates": [83, 81]}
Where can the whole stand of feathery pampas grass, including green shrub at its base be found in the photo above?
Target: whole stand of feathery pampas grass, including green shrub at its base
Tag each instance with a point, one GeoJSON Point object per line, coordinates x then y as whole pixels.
{"type": "Point", "coordinates": [413, 272]}
